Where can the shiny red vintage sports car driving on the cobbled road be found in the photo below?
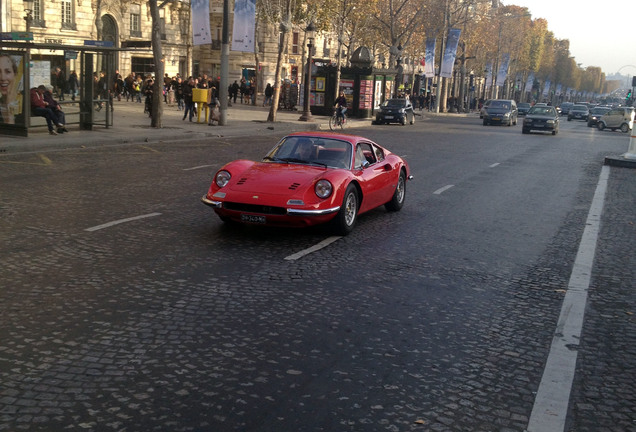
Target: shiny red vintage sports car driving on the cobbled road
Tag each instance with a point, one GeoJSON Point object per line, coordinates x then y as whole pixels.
{"type": "Point", "coordinates": [310, 178]}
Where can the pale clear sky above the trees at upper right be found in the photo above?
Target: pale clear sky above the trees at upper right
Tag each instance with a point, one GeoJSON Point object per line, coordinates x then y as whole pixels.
{"type": "Point", "coordinates": [589, 26]}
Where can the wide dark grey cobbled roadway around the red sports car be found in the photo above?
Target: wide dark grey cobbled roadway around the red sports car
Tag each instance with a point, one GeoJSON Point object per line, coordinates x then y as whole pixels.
{"type": "Point", "coordinates": [127, 305]}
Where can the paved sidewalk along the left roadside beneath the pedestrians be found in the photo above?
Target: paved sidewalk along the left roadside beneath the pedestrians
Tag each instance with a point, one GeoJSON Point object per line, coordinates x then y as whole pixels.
{"type": "Point", "coordinates": [130, 125]}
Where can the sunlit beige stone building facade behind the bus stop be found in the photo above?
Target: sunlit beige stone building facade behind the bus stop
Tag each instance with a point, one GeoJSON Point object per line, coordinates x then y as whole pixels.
{"type": "Point", "coordinates": [128, 24]}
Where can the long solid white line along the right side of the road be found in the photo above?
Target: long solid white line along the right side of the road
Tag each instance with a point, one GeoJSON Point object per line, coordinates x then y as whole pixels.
{"type": "Point", "coordinates": [551, 404]}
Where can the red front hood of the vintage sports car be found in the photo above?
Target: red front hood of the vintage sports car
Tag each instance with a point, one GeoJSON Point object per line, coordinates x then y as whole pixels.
{"type": "Point", "coordinates": [276, 178]}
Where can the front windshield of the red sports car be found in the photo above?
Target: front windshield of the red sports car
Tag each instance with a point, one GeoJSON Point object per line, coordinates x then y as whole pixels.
{"type": "Point", "coordinates": [312, 150]}
